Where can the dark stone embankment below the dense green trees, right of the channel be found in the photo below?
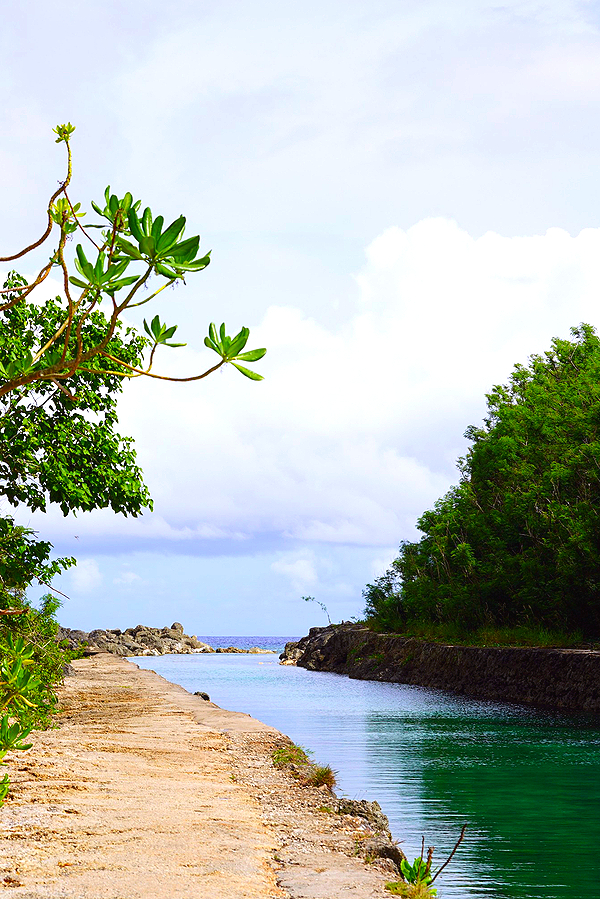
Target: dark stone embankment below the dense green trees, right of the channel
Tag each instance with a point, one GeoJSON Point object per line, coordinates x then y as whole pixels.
{"type": "Point", "coordinates": [565, 679]}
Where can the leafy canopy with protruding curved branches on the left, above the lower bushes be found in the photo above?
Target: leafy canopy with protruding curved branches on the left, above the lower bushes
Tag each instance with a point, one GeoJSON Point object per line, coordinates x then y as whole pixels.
{"type": "Point", "coordinates": [63, 362]}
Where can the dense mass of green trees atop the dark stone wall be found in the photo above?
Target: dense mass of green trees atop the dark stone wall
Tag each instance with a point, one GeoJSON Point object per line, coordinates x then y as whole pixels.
{"type": "Point", "coordinates": [517, 541]}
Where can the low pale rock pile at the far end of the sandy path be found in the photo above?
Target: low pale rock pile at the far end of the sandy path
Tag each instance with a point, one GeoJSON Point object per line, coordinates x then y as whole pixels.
{"type": "Point", "coordinates": [144, 641]}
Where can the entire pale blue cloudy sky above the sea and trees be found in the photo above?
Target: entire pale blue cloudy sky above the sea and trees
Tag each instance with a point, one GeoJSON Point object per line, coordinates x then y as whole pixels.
{"type": "Point", "coordinates": [401, 199]}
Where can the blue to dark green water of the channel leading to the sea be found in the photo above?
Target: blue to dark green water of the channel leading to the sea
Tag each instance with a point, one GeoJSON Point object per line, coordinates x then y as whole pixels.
{"type": "Point", "coordinates": [526, 783]}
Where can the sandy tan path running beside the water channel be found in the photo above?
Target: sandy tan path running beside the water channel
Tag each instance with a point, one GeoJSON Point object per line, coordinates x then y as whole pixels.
{"type": "Point", "coordinates": [144, 790]}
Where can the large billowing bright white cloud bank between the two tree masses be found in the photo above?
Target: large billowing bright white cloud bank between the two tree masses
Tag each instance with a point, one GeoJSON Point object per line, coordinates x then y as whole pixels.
{"type": "Point", "coordinates": [355, 431]}
